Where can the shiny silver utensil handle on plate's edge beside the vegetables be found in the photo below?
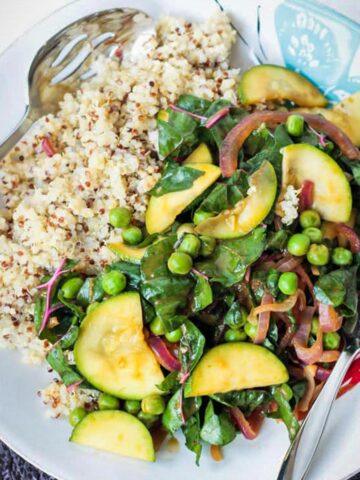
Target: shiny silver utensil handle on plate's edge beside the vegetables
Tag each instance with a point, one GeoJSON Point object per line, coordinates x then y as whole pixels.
{"type": "Point", "coordinates": [301, 452]}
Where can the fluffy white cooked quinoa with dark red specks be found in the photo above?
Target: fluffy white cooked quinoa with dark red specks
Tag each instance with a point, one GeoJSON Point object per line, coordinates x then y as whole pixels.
{"type": "Point", "coordinates": [105, 140]}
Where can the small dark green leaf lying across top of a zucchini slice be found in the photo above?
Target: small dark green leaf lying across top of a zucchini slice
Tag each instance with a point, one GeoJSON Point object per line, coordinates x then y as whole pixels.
{"type": "Point", "coordinates": [175, 178]}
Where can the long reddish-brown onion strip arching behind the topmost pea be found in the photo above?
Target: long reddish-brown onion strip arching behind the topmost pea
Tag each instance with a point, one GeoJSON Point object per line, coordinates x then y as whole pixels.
{"type": "Point", "coordinates": [236, 137]}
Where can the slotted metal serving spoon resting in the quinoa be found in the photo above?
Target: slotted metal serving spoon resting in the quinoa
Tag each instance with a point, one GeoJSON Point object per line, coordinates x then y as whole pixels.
{"type": "Point", "coordinates": [67, 59]}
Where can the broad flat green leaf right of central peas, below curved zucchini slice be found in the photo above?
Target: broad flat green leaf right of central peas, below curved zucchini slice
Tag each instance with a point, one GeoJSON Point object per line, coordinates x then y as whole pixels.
{"type": "Point", "coordinates": [228, 263]}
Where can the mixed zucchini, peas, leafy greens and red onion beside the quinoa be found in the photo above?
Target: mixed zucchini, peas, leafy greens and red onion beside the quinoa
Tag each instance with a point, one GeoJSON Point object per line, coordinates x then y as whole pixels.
{"type": "Point", "coordinates": [234, 300]}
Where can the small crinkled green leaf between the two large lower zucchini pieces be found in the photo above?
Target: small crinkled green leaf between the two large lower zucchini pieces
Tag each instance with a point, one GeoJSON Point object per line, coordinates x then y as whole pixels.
{"type": "Point", "coordinates": [192, 345]}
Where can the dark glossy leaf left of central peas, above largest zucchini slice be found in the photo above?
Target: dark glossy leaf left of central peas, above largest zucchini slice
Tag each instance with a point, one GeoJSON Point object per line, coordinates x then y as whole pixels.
{"type": "Point", "coordinates": [167, 293]}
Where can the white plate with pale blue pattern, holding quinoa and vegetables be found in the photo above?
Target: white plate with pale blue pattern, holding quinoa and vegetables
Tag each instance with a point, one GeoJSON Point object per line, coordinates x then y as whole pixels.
{"type": "Point", "coordinates": [23, 424]}
